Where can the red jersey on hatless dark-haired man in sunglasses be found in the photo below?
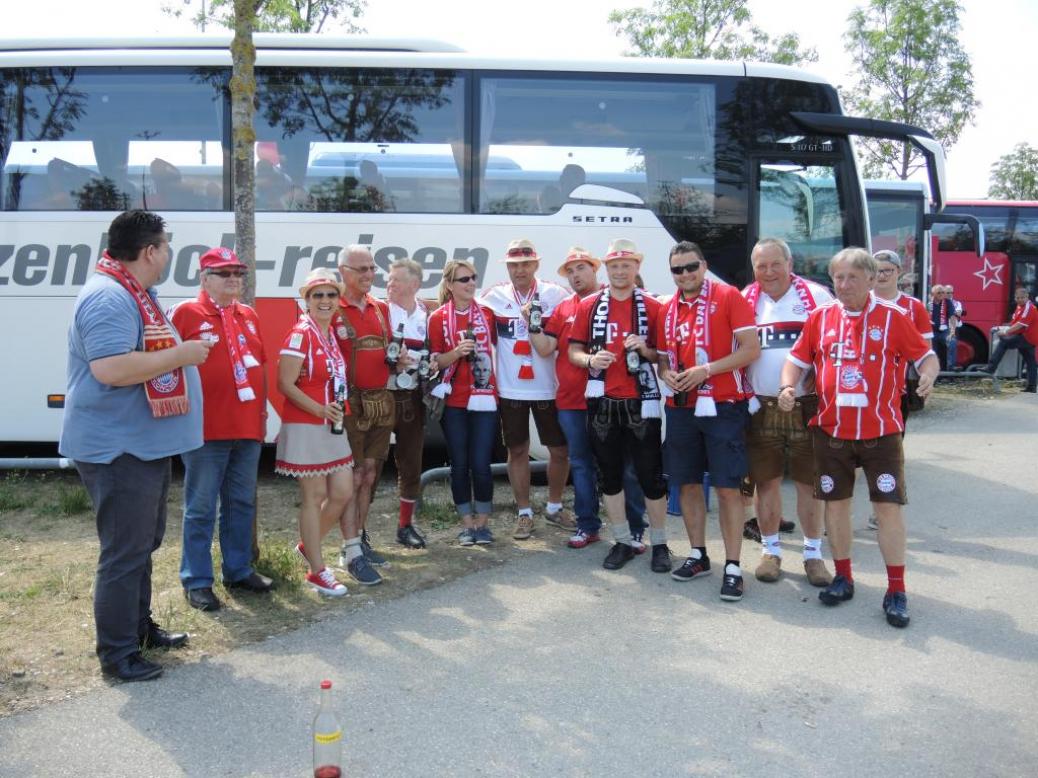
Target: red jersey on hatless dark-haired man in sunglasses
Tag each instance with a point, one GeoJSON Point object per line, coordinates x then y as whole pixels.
{"type": "Point", "coordinates": [729, 314]}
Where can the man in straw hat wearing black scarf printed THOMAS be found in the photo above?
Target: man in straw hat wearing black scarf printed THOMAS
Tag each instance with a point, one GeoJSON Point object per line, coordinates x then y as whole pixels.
{"type": "Point", "coordinates": [613, 340]}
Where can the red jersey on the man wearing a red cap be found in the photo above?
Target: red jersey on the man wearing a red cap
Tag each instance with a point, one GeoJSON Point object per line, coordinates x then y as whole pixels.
{"type": "Point", "coordinates": [226, 418]}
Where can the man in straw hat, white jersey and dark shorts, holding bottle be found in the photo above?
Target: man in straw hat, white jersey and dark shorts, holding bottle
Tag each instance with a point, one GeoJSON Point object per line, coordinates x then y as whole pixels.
{"type": "Point", "coordinates": [527, 383]}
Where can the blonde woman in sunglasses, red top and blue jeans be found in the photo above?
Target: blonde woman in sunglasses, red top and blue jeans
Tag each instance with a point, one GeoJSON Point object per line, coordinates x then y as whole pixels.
{"type": "Point", "coordinates": [461, 336]}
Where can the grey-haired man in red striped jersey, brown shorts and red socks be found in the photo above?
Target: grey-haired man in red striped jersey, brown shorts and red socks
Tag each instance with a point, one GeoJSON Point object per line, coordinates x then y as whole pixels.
{"type": "Point", "coordinates": [857, 346]}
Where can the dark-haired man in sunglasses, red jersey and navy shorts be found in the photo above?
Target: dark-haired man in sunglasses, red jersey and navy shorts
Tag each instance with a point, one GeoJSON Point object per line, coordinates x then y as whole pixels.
{"type": "Point", "coordinates": [706, 337]}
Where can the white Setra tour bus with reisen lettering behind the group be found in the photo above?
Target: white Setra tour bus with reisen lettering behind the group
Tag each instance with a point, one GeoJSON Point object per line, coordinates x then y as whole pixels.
{"type": "Point", "coordinates": [412, 148]}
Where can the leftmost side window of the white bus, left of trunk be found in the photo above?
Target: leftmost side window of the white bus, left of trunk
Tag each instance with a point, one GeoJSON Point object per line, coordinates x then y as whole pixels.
{"type": "Point", "coordinates": [112, 138]}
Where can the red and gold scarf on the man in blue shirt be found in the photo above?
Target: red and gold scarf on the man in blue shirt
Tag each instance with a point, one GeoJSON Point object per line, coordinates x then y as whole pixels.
{"type": "Point", "coordinates": [168, 395]}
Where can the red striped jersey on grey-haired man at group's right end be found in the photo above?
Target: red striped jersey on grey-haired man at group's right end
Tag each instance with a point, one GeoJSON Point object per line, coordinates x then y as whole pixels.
{"type": "Point", "coordinates": [888, 339]}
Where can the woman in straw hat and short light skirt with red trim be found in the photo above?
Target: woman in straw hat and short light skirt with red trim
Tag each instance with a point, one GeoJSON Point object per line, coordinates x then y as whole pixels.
{"type": "Point", "coordinates": [312, 447]}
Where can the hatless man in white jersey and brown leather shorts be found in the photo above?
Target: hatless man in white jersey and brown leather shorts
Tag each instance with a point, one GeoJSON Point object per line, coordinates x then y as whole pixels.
{"type": "Point", "coordinates": [782, 302]}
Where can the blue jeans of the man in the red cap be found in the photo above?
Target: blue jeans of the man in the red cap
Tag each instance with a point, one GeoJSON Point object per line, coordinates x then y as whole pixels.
{"type": "Point", "coordinates": [224, 470]}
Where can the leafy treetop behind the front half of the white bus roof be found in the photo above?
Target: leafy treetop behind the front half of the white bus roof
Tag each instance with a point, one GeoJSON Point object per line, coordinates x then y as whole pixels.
{"type": "Point", "coordinates": [705, 30]}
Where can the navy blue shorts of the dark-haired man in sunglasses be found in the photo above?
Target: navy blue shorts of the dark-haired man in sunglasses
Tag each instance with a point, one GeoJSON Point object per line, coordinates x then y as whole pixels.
{"type": "Point", "coordinates": [708, 444]}
